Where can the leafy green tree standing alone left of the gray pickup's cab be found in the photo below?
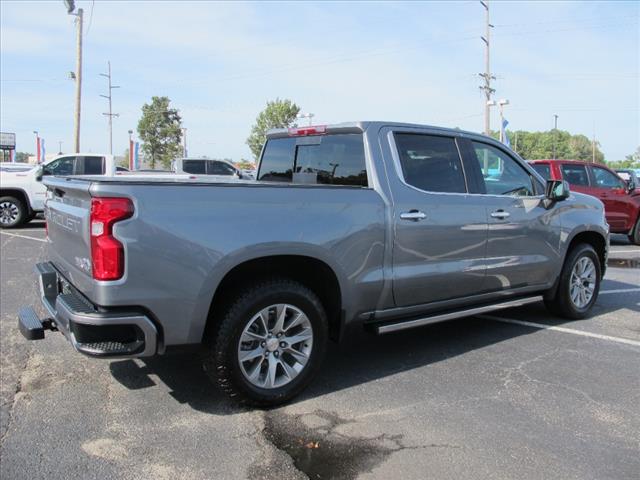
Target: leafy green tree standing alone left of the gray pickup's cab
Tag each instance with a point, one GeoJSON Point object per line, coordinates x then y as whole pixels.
{"type": "Point", "coordinates": [159, 129]}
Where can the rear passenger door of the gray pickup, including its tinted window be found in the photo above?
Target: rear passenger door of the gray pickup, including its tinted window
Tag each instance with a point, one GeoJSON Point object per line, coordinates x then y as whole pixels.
{"type": "Point", "coordinates": [440, 230]}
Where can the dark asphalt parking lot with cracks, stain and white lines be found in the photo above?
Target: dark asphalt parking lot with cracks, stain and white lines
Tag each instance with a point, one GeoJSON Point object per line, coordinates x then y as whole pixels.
{"type": "Point", "coordinates": [519, 394]}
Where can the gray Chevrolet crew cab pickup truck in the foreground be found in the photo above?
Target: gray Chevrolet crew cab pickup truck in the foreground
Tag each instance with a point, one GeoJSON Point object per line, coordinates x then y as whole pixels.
{"type": "Point", "coordinates": [367, 225]}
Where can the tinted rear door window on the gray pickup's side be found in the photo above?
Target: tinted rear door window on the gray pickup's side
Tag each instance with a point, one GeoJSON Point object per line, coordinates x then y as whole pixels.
{"type": "Point", "coordinates": [430, 163]}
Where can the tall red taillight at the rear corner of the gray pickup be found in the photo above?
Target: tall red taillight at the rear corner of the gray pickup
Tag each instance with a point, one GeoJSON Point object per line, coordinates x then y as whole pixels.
{"type": "Point", "coordinates": [107, 253]}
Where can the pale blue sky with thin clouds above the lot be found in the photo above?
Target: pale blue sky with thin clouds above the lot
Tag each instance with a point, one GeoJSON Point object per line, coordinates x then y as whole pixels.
{"type": "Point", "coordinates": [406, 61]}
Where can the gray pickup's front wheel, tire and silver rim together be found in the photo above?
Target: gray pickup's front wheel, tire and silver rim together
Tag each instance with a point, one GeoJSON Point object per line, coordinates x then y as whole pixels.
{"type": "Point", "coordinates": [579, 284]}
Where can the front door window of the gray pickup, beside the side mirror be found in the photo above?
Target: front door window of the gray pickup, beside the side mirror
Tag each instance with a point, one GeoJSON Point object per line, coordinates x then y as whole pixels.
{"type": "Point", "coordinates": [502, 174]}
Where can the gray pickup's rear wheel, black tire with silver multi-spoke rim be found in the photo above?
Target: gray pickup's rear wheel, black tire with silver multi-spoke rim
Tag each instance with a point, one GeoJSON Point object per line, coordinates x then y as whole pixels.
{"type": "Point", "coordinates": [269, 344]}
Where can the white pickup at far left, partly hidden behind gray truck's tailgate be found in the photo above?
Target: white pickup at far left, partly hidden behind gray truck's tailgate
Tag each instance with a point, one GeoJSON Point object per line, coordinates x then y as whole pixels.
{"type": "Point", "coordinates": [22, 193]}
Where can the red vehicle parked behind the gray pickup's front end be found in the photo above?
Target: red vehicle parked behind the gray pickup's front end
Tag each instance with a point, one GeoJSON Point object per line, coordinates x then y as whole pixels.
{"type": "Point", "coordinates": [621, 200]}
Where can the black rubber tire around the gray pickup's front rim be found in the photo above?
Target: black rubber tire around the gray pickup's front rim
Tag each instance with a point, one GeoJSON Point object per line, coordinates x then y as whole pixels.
{"type": "Point", "coordinates": [561, 303]}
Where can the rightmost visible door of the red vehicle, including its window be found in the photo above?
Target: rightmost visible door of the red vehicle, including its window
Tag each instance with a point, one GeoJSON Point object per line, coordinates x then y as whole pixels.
{"type": "Point", "coordinates": [611, 189]}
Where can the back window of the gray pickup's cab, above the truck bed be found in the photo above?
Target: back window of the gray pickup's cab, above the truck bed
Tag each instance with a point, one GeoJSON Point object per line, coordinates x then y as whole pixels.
{"type": "Point", "coordinates": [327, 160]}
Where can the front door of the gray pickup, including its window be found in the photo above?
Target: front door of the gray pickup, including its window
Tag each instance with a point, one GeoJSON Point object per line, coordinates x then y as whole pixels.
{"type": "Point", "coordinates": [521, 245]}
